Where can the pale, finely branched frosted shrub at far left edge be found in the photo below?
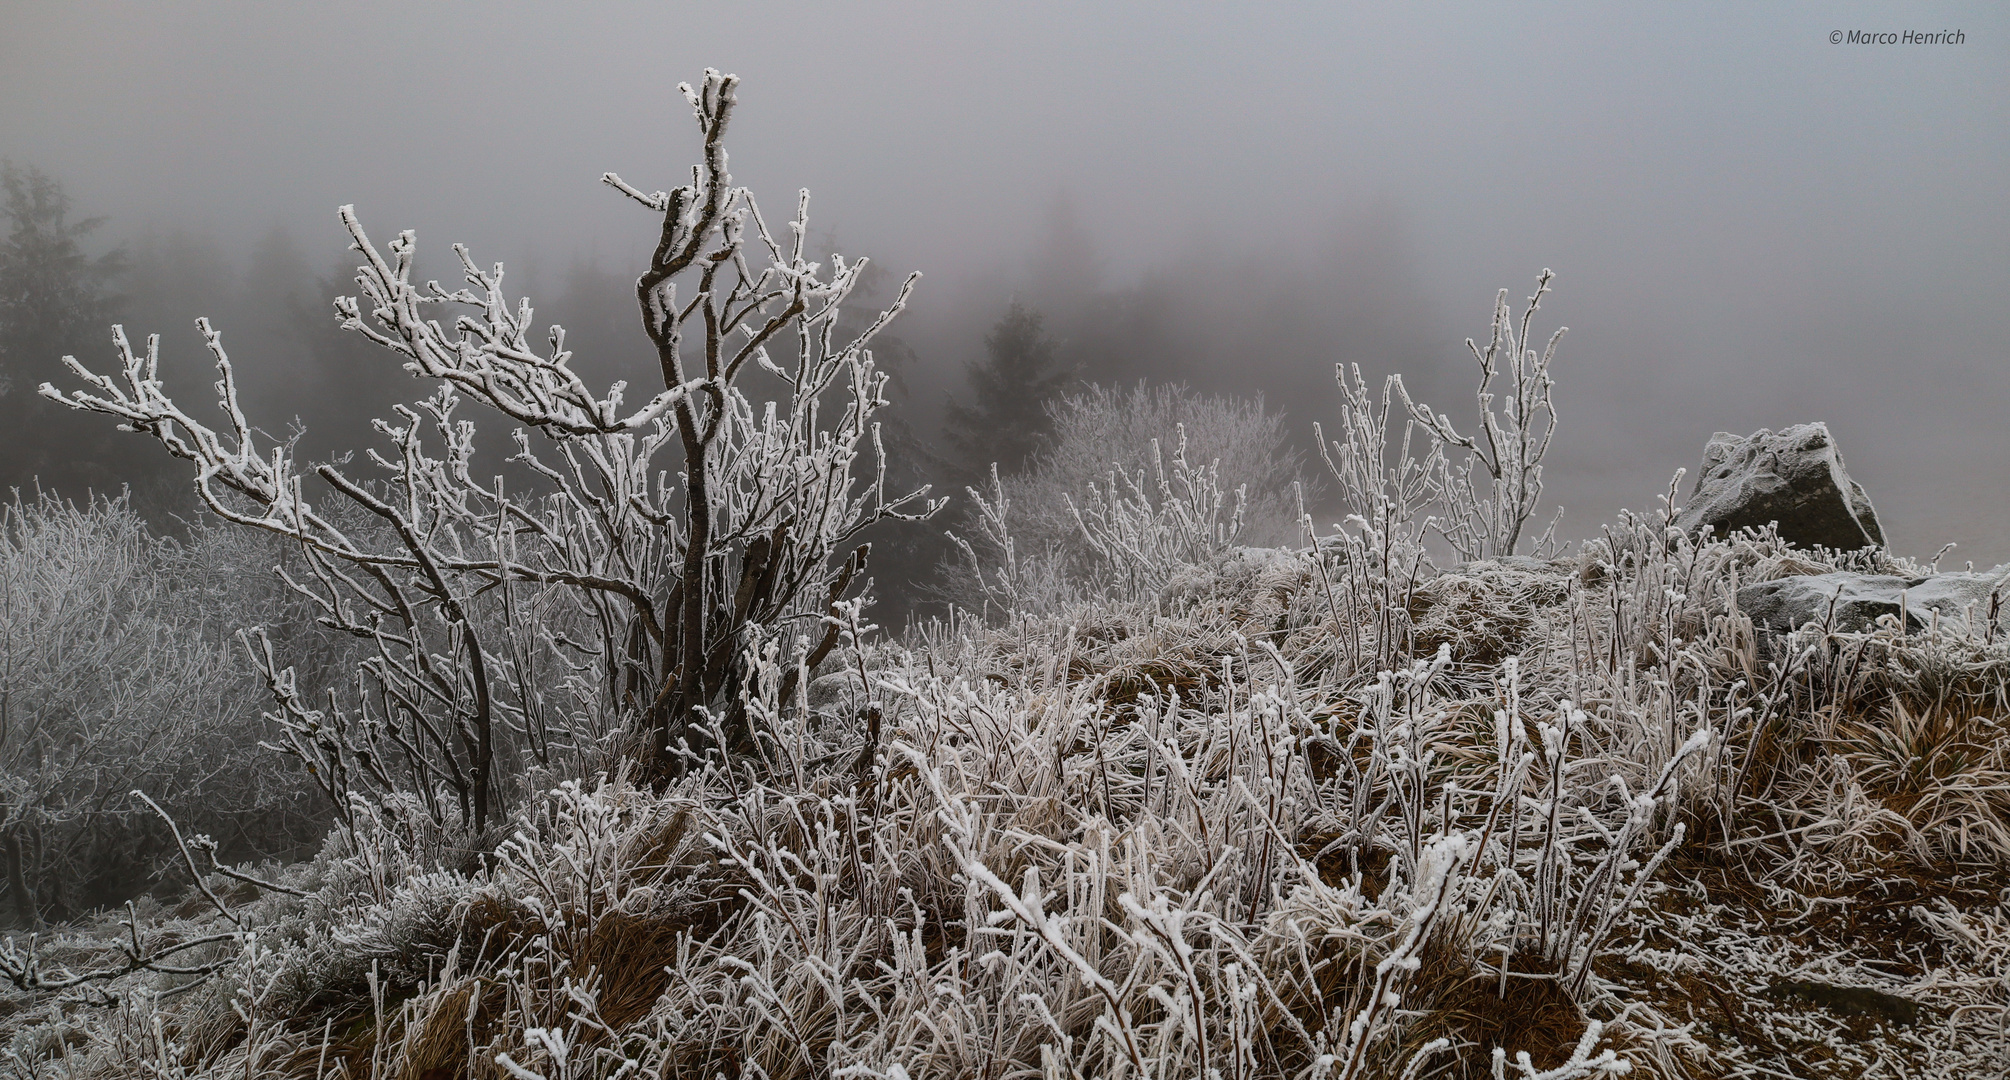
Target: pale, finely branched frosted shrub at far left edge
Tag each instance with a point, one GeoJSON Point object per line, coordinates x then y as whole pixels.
{"type": "Point", "coordinates": [118, 673]}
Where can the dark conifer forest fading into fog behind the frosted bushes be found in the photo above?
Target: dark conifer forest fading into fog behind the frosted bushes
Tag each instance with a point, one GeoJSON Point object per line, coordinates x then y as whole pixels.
{"type": "Point", "coordinates": [1261, 327]}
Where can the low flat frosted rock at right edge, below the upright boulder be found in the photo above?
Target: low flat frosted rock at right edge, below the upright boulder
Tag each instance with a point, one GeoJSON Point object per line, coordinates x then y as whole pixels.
{"type": "Point", "coordinates": [1862, 598]}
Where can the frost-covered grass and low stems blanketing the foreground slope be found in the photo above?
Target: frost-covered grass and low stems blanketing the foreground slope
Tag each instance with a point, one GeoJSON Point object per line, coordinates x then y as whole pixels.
{"type": "Point", "coordinates": [1189, 834]}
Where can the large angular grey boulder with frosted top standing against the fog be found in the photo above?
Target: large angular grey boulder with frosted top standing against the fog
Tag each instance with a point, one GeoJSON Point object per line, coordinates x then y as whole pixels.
{"type": "Point", "coordinates": [1792, 478]}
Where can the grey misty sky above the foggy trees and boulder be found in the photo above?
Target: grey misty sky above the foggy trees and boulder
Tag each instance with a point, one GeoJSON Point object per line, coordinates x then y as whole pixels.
{"type": "Point", "coordinates": [1750, 226]}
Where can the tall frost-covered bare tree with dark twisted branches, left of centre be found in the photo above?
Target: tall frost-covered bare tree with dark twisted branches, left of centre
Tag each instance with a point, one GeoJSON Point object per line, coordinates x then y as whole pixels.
{"type": "Point", "coordinates": [614, 600]}
